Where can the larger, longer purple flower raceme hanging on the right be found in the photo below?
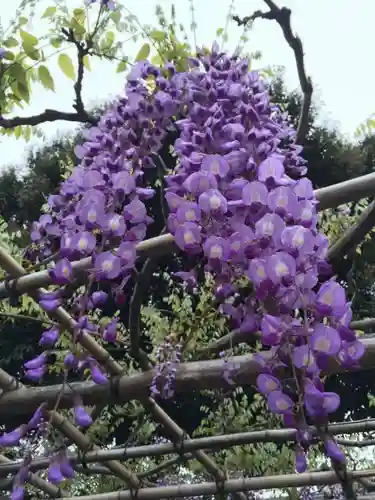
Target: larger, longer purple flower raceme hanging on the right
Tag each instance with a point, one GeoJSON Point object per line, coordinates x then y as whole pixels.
{"type": "Point", "coordinates": [238, 196]}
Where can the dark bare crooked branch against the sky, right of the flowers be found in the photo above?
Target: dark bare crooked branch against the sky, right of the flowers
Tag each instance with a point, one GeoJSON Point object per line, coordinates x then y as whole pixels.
{"type": "Point", "coordinates": [282, 17]}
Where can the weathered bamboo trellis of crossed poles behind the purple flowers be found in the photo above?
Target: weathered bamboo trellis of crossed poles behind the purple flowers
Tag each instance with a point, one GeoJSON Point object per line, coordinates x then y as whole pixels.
{"type": "Point", "coordinates": [17, 399]}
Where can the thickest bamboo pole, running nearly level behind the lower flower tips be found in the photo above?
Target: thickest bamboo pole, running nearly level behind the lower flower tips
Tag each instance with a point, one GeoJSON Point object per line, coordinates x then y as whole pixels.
{"type": "Point", "coordinates": [190, 376]}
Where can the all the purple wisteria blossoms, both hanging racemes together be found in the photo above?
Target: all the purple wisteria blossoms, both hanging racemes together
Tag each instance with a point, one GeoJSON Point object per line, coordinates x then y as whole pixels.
{"type": "Point", "coordinates": [238, 197]}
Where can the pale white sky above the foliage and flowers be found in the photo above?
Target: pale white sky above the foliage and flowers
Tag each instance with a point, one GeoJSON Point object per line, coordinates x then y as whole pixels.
{"type": "Point", "coordinates": [336, 36]}
